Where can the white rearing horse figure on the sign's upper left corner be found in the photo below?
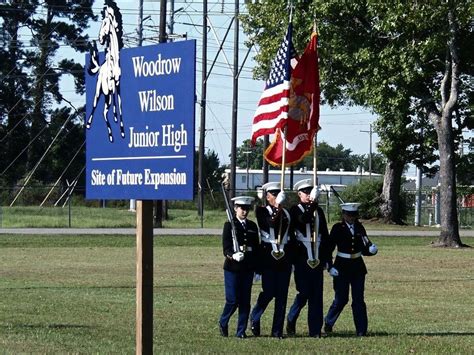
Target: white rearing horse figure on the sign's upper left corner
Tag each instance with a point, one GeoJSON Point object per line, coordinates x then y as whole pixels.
{"type": "Point", "coordinates": [108, 78]}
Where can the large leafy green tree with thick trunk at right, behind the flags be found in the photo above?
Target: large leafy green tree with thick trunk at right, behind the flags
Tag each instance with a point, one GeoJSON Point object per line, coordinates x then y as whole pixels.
{"type": "Point", "coordinates": [398, 59]}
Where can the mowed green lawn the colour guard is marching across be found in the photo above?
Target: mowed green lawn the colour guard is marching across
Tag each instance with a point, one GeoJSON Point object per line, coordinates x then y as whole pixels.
{"type": "Point", "coordinates": [76, 294]}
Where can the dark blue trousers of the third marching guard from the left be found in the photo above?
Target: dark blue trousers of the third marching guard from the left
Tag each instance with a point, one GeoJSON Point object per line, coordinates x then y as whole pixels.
{"type": "Point", "coordinates": [309, 284]}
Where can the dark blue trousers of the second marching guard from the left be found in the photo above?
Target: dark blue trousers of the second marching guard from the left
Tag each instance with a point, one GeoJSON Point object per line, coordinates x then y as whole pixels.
{"type": "Point", "coordinates": [275, 284]}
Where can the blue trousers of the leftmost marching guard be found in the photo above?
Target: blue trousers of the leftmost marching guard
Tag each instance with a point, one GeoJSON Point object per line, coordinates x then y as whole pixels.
{"type": "Point", "coordinates": [238, 290]}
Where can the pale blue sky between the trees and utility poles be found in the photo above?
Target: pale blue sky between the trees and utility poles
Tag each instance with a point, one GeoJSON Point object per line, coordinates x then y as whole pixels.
{"type": "Point", "coordinates": [339, 126]}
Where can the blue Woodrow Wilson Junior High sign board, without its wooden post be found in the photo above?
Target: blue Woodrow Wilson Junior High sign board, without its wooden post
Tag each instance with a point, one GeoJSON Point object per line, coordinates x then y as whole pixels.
{"type": "Point", "coordinates": [140, 122]}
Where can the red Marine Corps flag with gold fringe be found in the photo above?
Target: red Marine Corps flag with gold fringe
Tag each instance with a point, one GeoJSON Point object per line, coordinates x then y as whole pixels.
{"type": "Point", "coordinates": [303, 115]}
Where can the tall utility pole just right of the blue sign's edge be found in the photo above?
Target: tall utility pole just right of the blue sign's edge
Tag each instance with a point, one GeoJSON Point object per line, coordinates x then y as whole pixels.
{"type": "Point", "coordinates": [202, 128]}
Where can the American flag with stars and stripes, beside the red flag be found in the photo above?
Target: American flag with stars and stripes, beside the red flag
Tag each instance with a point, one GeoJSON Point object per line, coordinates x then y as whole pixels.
{"type": "Point", "coordinates": [272, 110]}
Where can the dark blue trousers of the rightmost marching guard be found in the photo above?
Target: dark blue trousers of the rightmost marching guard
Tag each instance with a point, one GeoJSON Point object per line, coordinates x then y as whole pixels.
{"type": "Point", "coordinates": [359, 309]}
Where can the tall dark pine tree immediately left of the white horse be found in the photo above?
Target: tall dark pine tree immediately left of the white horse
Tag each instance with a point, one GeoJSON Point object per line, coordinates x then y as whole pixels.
{"type": "Point", "coordinates": [53, 23]}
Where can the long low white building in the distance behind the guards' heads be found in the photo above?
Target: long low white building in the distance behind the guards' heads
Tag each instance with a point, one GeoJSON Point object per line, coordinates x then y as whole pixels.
{"type": "Point", "coordinates": [253, 178]}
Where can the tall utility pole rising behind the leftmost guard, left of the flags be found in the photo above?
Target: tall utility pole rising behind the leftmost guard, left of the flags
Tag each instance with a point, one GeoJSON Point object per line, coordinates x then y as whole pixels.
{"type": "Point", "coordinates": [235, 98]}
